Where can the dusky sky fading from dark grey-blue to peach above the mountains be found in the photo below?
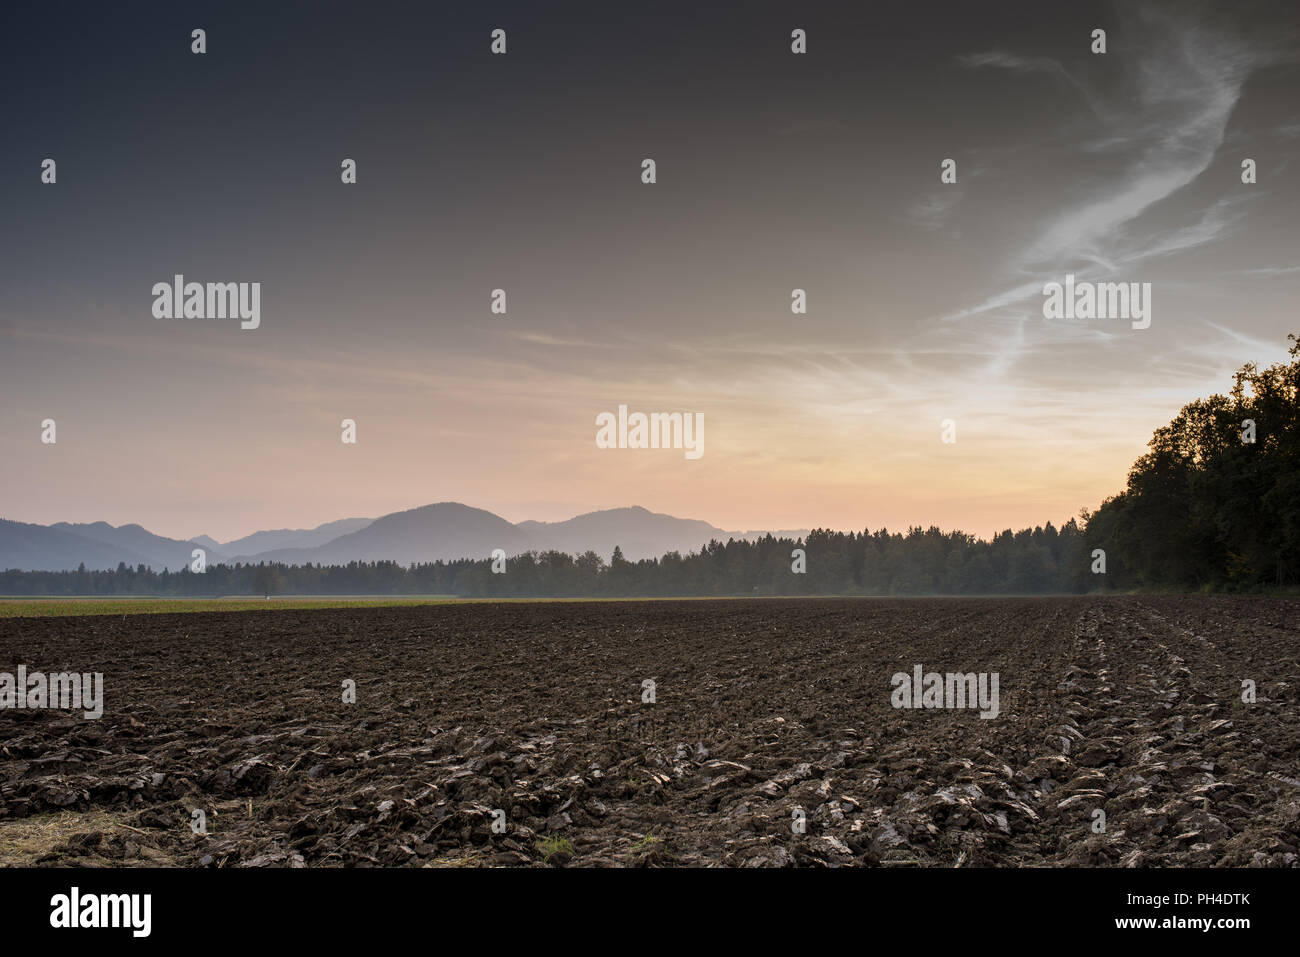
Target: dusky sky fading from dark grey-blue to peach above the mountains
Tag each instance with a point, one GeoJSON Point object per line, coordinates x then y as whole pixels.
{"type": "Point", "coordinates": [525, 172]}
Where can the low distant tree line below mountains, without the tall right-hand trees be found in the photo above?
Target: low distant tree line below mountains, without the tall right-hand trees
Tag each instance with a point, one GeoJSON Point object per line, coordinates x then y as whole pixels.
{"type": "Point", "coordinates": [918, 562]}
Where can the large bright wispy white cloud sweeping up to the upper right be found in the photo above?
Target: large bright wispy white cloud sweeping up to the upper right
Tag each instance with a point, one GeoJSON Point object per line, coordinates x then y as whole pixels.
{"type": "Point", "coordinates": [1156, 135]}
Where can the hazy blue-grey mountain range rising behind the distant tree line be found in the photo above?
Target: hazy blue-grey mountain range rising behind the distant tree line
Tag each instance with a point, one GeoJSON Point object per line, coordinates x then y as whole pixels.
{"type": "Point", "coordinates": [447, 531]}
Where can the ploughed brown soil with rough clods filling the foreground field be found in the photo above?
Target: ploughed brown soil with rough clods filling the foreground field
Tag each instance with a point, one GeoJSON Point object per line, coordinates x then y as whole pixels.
{"type": "Point", "coordinates": [764, 709]}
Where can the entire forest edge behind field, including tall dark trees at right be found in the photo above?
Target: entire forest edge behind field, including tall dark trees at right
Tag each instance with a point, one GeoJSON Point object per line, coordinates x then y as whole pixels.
{"type": "Point", "coordinates": [1215, 505]}
